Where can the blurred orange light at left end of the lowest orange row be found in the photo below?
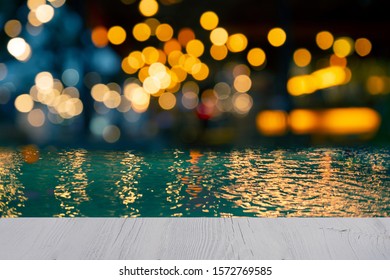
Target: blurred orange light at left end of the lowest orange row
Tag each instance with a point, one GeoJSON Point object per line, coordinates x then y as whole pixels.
{"type": "Point", "coordinates": [272, 123]}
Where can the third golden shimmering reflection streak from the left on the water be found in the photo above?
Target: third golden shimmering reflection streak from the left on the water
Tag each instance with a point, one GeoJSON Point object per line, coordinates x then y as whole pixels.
{"type": "Point", "coordinates": [127, 186]}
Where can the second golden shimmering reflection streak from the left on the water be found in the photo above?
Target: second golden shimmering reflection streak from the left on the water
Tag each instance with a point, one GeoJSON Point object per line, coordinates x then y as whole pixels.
{"type": "Point", "coordinates": [73, 182]}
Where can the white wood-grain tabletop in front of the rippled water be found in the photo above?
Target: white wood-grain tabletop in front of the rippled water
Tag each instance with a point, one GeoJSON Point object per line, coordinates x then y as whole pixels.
{"type": "Point", "coordinates": [195, 238]}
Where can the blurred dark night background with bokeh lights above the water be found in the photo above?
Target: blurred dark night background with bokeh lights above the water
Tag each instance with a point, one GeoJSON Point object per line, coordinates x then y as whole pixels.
{"type": "Point", "coordinates": [168, 73]}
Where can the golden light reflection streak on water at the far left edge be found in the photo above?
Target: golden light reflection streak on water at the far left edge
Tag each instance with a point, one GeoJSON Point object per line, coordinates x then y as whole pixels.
{"type": "Point", "coordinates": [12, 197]}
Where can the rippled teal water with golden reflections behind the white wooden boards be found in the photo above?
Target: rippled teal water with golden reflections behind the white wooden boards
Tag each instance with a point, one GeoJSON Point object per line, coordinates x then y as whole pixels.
{"type": "Point", "coordinates": [252, 182]}
